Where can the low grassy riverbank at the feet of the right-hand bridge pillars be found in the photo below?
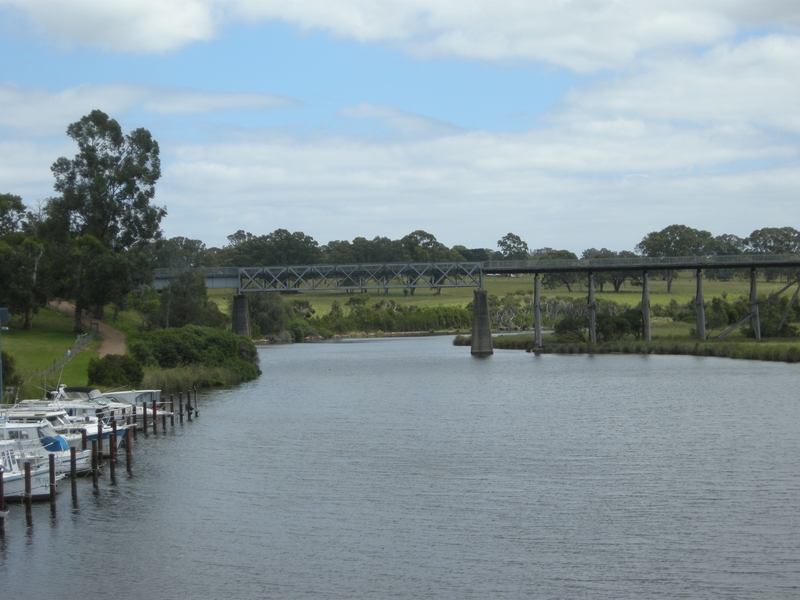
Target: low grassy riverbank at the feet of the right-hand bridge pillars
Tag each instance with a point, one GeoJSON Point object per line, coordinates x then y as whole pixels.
{"type": "Point", "coordinates": [778, 350]}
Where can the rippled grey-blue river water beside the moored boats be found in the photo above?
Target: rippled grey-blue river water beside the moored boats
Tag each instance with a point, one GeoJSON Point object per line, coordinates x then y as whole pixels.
{"type": "Point", "coordinates": [406, 468]}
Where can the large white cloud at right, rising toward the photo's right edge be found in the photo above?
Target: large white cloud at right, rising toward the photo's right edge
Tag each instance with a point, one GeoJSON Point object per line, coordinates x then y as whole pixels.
{"type": "Point", "coordinates": [749, 83]}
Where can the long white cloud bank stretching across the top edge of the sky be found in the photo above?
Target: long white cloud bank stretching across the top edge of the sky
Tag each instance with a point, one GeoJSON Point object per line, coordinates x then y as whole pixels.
{"type": "Point", "coordinates": [583, 35]}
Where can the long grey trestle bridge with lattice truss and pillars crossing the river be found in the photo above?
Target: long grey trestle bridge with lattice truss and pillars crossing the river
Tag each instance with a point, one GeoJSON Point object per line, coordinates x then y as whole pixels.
{"type": "Point", "coordinates": [412, 276]}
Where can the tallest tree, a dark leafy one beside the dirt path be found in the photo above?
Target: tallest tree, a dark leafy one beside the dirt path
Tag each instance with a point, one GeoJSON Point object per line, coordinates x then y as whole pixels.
{"type": "Point", "coordinates": [104, 216]}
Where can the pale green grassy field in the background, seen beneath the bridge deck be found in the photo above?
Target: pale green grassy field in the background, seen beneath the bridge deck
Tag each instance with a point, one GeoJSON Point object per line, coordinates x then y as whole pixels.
{"type": "Point", "coordinates": [683, 290]}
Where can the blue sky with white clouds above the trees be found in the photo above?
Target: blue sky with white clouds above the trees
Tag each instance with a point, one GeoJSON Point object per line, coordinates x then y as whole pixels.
{"type": "Point", "coordinates": [571, 123]}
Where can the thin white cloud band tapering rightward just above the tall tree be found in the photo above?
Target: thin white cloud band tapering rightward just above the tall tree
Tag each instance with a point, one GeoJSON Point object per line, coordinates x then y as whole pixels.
{"type": "Point", "coordinates": [41, 113]}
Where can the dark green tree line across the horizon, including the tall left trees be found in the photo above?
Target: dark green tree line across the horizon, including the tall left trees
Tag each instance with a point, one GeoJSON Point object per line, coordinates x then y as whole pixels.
{"type": "Point", "coordinates": [97, 239]}
